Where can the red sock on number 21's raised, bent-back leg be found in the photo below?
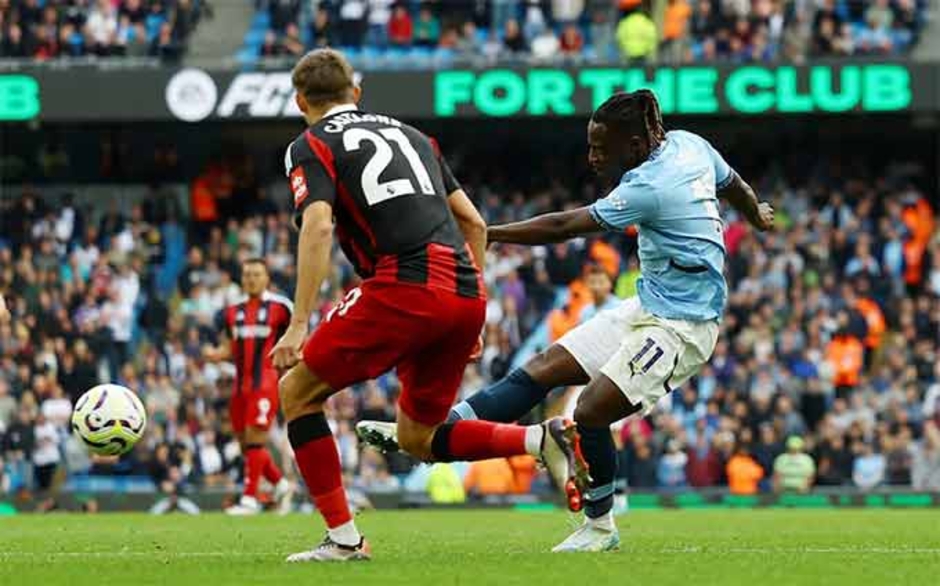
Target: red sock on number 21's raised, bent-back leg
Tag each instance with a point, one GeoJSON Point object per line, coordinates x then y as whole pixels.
{"type": "Point", "coordinates": [481, 440]}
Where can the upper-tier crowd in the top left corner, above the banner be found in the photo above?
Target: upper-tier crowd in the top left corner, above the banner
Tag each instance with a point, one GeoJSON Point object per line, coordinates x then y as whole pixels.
{"type": "Point", "coordinates": [50, 29]}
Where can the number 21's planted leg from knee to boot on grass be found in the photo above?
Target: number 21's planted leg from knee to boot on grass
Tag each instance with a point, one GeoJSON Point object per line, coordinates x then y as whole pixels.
{"type": "Point", "coordinates": [302, 396]}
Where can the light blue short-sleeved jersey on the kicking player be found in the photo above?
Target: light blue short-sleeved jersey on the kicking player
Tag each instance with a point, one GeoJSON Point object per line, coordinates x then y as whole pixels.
{"type": "Point", "coordinates": [671, 198]}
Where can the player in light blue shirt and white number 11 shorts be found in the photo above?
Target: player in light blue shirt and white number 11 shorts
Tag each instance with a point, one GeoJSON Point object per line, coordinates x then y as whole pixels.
{"type": "Point", "coordinates": [630, 356]}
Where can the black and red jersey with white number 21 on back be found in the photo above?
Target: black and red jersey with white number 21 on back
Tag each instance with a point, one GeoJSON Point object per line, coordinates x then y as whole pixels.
{"type": "Point", "coordinates": [388, 185]}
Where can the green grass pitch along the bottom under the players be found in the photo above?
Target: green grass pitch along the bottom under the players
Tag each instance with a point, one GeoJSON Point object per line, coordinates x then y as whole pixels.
{"type": "Point", "coordinates": [691, 548]}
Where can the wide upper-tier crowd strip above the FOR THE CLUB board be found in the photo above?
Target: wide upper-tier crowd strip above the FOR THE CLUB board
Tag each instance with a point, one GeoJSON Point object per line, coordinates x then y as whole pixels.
{"type": "Point", "coordinates": [671, 31]}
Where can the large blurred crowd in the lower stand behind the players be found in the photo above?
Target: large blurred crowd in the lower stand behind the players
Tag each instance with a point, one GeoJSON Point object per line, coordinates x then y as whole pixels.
{"type": "Point", "coordinates": [826, 372]}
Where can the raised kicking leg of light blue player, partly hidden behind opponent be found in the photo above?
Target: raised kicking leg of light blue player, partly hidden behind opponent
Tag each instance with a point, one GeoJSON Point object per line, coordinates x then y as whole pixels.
{"type": "Point", "coordinates": [504, 401]}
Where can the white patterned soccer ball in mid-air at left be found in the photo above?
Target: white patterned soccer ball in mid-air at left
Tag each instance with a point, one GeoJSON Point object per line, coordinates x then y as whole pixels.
{"type": "Point", "coordinates": [109, 419]}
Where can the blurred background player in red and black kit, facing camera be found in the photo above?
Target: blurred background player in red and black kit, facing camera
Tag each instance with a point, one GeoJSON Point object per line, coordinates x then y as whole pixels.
{"type": "Point", "coordinates": [248, 331]}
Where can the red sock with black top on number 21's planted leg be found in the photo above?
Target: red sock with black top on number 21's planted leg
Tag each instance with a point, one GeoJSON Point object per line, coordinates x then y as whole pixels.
{"type": "Point", "coordinates": [318, 460]}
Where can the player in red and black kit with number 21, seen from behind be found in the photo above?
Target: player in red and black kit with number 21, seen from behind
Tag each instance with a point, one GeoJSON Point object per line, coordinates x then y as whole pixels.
{"type": "Point", "coordinates": [418, 243]}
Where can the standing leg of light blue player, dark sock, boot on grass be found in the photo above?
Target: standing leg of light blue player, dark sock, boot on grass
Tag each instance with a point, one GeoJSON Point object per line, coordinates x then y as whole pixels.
{"type": "Point", "coordinates": [600, 404]}
